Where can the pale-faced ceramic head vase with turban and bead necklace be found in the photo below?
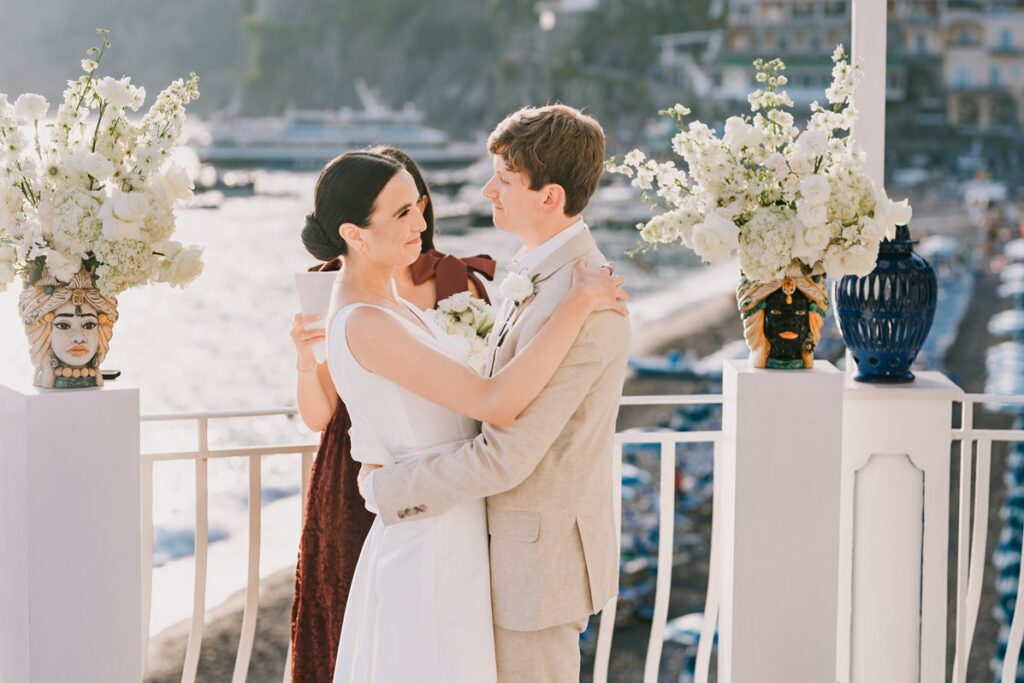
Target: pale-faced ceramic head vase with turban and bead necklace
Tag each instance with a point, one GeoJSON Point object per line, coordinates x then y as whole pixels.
{"type": "Point", "coordinates": [69, 326]}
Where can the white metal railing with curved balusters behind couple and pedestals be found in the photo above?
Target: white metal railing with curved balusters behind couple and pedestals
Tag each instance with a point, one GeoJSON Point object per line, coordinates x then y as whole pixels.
{"type": "Point", "coordinates": [974, 446]}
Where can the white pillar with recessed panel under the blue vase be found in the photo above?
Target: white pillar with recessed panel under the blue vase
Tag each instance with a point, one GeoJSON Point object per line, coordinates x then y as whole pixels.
{"type": "Point", "coordinates": [894, 531]}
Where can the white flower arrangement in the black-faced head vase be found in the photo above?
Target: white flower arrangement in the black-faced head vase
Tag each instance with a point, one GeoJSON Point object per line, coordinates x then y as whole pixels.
{"type": "Point", "coordinates": [770, 191]}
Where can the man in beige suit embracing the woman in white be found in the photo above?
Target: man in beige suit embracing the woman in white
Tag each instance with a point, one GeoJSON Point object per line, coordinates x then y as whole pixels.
{"type": "Point", "coordinates": [554, 558]}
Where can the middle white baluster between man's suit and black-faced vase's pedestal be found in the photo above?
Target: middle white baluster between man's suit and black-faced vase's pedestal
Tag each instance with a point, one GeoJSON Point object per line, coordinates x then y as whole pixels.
{"type": "Point", "coordinates": [666, 534]}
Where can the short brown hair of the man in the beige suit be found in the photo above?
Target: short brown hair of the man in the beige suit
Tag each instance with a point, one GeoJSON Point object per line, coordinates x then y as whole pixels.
{"type": "Point", "coordinates": [553, 145]}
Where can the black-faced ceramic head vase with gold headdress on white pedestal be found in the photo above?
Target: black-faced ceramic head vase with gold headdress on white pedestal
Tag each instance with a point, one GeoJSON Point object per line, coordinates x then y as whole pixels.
{"type": "Point", "coordinates": [783, 320]}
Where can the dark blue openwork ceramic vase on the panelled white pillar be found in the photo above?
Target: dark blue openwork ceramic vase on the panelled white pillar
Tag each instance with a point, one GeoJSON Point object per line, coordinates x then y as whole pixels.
{"type": "Point", "coordinates": [885, 317]}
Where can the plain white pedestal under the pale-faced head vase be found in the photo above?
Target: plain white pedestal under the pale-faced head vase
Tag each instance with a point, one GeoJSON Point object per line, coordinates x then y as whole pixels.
{"type": "Point", "coordinates": [70, 536]}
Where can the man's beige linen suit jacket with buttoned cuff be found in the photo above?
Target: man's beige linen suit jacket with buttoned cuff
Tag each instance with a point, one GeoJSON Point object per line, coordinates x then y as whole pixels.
{"type": "Point", "coordinates": [554, 557]}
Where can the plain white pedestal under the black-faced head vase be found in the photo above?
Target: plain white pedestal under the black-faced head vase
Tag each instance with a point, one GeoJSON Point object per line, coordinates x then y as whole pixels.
{"type": "Point", "coordinates": [783, 438]}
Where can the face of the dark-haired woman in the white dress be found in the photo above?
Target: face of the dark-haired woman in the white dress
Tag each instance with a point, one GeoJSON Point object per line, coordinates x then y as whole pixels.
{"type": "Point", "coordinates": [394, 236]}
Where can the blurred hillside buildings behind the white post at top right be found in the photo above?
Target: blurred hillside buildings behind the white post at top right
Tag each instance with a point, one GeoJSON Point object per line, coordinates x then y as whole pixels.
{"type": "Point", "coordinates": [952, 64]}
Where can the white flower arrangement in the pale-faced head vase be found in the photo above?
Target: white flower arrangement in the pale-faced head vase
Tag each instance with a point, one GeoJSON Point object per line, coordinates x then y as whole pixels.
{"type": "Point", "coordinates": [95, 189]}
